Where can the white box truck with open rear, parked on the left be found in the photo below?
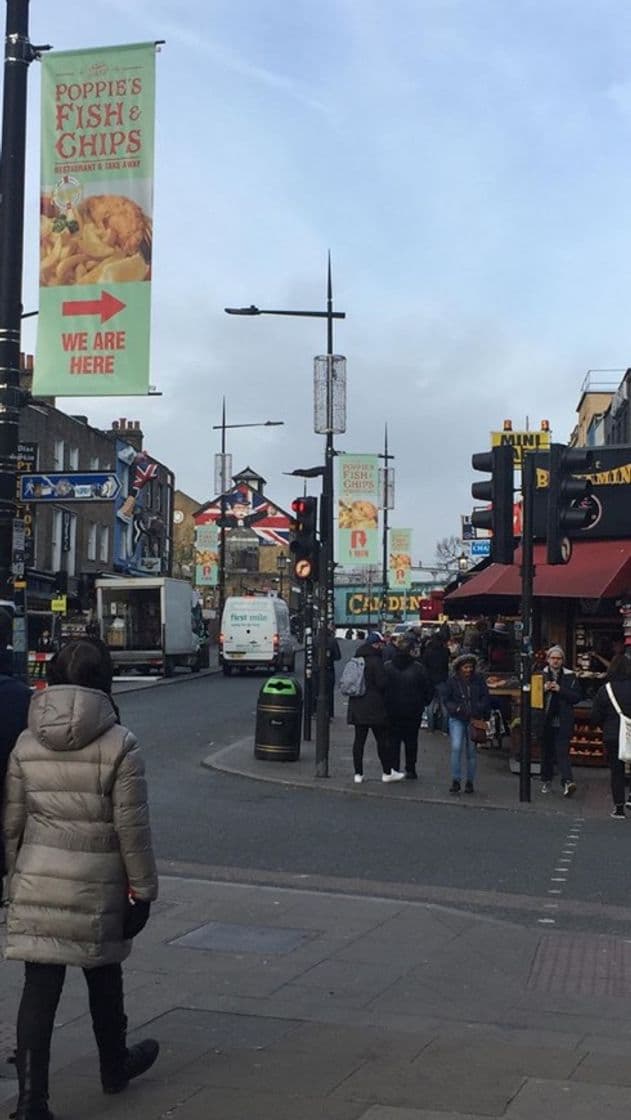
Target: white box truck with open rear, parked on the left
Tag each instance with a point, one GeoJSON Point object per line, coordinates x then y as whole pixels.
{"type": "Point", "coordinates": [152, 622]}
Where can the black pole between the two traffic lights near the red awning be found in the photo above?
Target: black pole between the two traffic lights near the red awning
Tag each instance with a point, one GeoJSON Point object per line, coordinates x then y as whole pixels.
{"type": "Point", "coordinates": [526, 660]}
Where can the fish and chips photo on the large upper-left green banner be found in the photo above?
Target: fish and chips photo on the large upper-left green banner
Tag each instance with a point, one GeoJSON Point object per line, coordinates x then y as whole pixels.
{"type": "Point", "coordinates": [104, 239]}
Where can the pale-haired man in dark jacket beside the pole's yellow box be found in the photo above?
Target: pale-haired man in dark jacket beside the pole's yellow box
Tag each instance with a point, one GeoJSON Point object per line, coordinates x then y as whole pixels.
{"type": "Point", "coordinates": [561, 696]}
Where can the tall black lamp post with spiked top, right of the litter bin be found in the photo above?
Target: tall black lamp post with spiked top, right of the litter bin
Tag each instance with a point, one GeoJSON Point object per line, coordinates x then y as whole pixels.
{"type": "Point", "coordinates": [327, 598]}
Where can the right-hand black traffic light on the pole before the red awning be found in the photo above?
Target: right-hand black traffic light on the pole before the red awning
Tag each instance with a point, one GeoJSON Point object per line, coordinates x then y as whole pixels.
{"type": "Point", "coordinates": [567, 498]}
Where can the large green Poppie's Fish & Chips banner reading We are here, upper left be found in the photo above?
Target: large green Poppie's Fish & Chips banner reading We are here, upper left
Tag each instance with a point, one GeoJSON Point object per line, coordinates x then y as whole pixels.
{"type": "Point", "coordinates": [96, 242]}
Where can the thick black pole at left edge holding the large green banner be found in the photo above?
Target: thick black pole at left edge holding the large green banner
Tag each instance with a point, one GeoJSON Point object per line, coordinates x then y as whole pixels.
{"type": "Point", "coordinates": [18, 54]}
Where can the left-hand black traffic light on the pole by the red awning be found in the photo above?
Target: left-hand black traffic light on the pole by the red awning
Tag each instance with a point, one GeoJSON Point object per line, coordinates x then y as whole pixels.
{"type": "Point", "coordinates": [498, 491]}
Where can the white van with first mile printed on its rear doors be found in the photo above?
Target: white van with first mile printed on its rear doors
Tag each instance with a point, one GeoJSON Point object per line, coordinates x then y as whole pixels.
{"type": "Point", "coordinates": [255, 634]}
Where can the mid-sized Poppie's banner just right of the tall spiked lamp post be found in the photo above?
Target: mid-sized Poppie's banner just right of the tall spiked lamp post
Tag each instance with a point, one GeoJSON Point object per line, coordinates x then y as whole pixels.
{"type": "Point", "coordinates": [358, 510]}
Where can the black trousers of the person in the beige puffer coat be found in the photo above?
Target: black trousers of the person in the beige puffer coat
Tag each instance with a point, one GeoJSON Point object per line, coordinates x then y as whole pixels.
{"type": "Point", "coordinates": [41, 998]}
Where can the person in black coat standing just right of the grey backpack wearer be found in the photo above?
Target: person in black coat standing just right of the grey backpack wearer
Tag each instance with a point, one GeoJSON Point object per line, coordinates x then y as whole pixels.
{"type": "Point", "coordinates": [409, 692]}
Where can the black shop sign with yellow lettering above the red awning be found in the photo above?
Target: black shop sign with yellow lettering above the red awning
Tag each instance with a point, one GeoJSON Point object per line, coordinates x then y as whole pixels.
{"type": "Point", "coordinates": [609, 502]}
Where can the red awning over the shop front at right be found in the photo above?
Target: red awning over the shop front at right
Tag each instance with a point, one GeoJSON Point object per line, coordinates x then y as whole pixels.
{"type": "Point", "coordinates": [597, 571]}
